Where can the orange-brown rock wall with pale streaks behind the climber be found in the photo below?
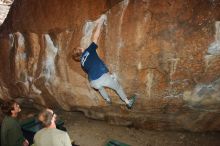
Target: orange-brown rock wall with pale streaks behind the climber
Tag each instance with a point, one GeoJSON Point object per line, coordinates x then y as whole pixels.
{"type": "Point", "coordinates": [167, 52]}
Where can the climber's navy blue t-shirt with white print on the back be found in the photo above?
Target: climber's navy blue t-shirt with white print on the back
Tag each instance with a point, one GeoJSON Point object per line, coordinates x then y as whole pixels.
{"type": "Point", "coordinates": [92, 64]}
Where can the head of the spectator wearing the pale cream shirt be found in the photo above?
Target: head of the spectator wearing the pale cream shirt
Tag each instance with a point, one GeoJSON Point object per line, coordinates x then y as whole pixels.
{"type": "Point", "coordinates": [47, 117]}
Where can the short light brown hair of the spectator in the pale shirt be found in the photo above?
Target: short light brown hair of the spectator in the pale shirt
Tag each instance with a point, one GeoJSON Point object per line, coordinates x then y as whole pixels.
{"type": "Point", "coordinates": [47, 117]}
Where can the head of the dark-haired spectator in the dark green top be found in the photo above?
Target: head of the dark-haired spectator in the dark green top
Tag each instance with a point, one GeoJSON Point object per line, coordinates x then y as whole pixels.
{"type": "Point", "coordinates": [10, 108]}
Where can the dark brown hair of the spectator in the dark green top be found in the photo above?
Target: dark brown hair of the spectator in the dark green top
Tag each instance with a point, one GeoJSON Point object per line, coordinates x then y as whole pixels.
{"type": "Point", "coordinates": [8, 106]}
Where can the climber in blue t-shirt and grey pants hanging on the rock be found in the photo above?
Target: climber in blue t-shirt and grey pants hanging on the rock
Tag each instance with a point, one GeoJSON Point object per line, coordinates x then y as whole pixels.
{"type": "Point", "coordinates": [98, 74]}
